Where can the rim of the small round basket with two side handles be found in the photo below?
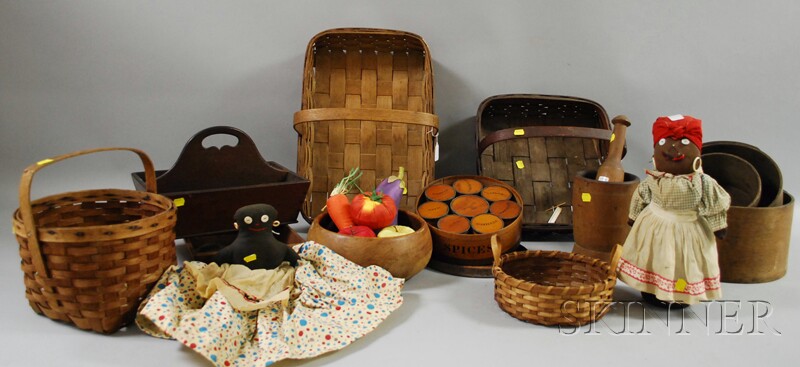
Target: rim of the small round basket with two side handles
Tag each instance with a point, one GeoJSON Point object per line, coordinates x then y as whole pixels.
{"type": "Point", "coordinates": [501, 276]}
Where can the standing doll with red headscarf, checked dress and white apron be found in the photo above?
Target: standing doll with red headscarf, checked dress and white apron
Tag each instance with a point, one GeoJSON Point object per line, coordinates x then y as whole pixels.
{"type": "Point", "coordinates": [670, 254]}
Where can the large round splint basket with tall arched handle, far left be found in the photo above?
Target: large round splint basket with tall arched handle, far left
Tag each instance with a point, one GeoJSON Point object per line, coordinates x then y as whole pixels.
{"type": "Point", "coordinates": [89, 257]}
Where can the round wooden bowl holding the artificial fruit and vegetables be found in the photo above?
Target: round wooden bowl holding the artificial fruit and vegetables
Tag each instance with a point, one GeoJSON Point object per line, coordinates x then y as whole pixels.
{"type": "Point", "coordinates": [403, 256]}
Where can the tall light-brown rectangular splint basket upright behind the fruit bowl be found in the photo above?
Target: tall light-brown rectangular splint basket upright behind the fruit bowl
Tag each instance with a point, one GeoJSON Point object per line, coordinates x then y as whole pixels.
{"type": "Point", "coordinates": [368, 103]}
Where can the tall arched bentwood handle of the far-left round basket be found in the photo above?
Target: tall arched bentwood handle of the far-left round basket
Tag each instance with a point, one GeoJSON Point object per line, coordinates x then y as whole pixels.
{"type": "Point", "coordinates": [26, 212]}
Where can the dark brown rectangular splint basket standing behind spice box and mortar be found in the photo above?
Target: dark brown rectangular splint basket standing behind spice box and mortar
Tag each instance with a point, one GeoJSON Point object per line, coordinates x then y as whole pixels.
{"type": "Point", "coordinates": [537, 144]}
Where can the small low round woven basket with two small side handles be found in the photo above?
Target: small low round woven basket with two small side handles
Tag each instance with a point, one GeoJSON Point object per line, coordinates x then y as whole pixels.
{"type": "Point", "coordinates": [553, 287]}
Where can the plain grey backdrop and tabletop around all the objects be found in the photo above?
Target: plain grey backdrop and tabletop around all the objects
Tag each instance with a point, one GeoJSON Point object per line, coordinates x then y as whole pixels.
{"type": "Point", "coordinates": [83, 74]}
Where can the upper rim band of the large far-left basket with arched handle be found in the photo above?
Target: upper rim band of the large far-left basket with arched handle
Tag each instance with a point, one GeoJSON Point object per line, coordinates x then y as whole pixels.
{"type": "Point", "coordinates": [47, 234]}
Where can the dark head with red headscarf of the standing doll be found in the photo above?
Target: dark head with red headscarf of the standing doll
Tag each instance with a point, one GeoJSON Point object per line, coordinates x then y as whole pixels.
{"type": "Point", "coordinates": [677, 141]}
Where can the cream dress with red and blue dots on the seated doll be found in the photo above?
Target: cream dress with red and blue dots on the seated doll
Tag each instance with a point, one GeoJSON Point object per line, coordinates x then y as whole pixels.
{"type": "Point", "coordinates": [234, 316]}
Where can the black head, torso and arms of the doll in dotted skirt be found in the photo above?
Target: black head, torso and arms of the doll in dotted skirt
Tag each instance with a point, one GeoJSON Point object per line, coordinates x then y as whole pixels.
{"type": "Point", "coordinates": [255, 246]}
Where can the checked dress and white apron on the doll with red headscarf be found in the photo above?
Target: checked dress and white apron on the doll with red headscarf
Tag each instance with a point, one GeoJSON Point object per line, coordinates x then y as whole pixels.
{"type": "Point", "coordinates": [671, 251]}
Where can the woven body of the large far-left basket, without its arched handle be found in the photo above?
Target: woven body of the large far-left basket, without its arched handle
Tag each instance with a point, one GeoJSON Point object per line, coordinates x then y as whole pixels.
{"type": "Point", "coordinates": [97, 279]}
